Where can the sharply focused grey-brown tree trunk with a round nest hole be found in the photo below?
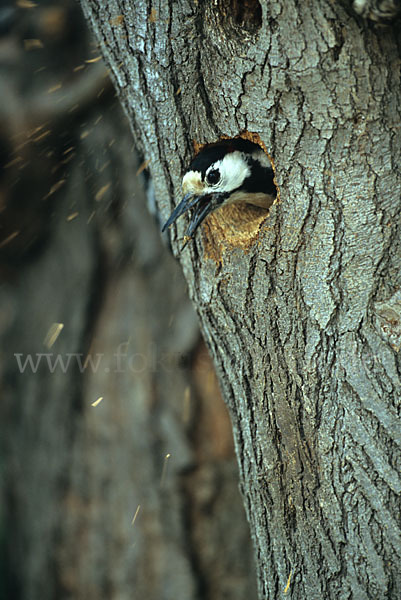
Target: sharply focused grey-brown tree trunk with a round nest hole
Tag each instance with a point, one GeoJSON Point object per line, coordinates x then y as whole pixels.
{"type": "Point", "coordinates": [300, 308]}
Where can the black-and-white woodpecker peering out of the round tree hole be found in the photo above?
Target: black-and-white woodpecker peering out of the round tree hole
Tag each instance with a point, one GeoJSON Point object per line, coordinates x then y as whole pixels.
{"type": "Point", "coordinates": [227, 172]}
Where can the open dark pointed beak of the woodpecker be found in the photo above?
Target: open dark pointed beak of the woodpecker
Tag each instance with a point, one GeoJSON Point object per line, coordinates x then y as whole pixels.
{"type": "Point", "coordinates": [202, 205]}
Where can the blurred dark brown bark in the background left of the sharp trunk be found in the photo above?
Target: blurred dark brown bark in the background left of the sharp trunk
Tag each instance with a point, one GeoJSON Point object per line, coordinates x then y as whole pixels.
{"type": "Point", "coordinates": [86, 253]}
